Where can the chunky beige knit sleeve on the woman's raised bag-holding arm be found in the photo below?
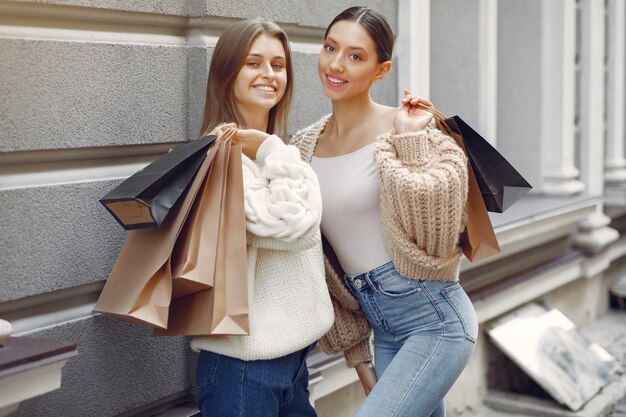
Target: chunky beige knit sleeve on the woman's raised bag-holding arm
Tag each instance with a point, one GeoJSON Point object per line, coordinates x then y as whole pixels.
{"type": "Point", "coordinates": [423, 178]}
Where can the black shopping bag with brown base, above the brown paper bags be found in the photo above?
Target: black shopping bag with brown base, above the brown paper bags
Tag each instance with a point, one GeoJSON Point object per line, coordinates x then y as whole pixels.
{"type": "Point", "coordinates": [144, 199]}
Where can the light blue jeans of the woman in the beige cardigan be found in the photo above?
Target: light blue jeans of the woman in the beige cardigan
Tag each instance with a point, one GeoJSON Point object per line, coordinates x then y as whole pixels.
{"type": "Point", "coordinates": [424, 334]}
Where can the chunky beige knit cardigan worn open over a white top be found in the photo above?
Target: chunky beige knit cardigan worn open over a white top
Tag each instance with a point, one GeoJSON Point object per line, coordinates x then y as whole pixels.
{"type": "Point", "coordinates": [423, 180]}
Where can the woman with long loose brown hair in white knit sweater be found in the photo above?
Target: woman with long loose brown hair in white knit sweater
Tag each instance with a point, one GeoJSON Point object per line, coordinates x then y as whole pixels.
{"type": "Point", "coordinates": [264, 374]}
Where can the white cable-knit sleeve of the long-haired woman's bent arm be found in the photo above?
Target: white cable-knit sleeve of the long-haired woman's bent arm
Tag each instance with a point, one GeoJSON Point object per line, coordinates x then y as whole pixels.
{"type": "Point", "coordinates": [282, 198]}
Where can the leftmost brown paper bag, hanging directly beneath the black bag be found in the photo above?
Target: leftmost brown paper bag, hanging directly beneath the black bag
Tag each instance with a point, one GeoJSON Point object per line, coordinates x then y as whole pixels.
{"type": "Point", "coordinates": [139, 287]}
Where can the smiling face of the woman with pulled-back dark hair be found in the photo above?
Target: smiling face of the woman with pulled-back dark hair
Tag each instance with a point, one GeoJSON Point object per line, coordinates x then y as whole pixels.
{"type": "Point", "coordinates": [348, 64]}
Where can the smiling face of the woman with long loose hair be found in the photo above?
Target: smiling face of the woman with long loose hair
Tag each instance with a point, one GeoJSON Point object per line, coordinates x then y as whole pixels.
{"type": "Point", "coordinates": [261, 81]}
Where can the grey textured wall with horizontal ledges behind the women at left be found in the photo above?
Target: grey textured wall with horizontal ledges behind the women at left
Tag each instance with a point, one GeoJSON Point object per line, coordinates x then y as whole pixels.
{"type": "Point", "coordinates": [90, 91]}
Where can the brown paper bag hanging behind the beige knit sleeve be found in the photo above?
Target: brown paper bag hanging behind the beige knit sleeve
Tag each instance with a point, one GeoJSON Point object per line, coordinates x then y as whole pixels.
{"type": "Point", "coordinates": [478, 241]}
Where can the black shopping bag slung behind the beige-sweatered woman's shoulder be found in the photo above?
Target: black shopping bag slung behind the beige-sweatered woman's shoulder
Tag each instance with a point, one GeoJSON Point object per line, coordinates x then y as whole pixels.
{"type": "Point", "coordinates": [500, 184]}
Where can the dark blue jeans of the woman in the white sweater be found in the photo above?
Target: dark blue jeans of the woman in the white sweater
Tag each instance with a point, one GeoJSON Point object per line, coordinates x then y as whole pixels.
{"type": "Point", "coordinates": [229, 387]}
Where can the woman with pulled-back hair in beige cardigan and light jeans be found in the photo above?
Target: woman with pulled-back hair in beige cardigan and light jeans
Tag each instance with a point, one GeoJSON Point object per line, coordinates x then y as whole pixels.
{"type": "Point", "coordinates": [394, 191]}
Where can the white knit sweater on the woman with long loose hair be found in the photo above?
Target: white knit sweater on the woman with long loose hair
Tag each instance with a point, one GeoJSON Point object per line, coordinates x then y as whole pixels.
{"type": "Point", "coordinates": [290, 307]}
